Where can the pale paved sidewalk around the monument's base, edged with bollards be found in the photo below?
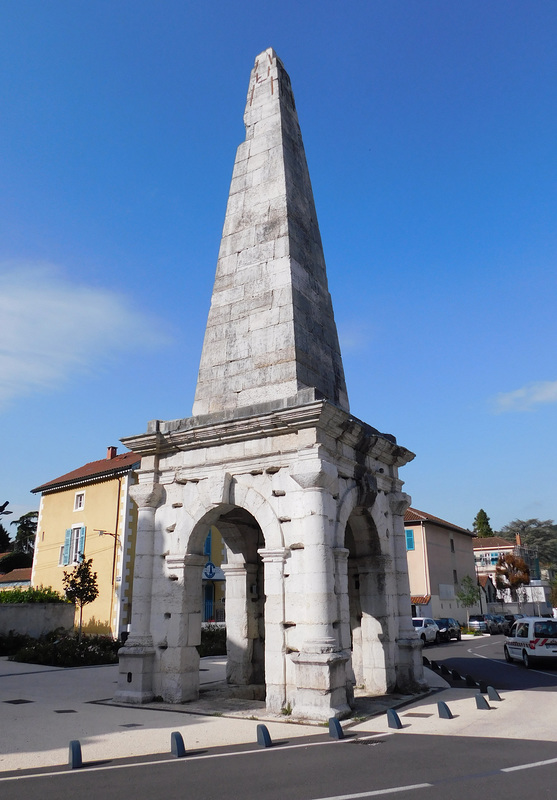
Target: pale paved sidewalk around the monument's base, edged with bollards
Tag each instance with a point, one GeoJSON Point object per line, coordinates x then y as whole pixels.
{"type": "Point", "coordinates": [44, 708]}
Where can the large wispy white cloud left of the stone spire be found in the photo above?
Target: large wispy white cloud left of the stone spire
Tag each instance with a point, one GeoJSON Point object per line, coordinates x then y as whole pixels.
{"type": "Point", "coordinates": [52, 328]}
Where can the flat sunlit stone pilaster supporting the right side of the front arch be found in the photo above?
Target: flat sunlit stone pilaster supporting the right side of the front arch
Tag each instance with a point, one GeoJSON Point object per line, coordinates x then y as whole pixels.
{"type": "Point", "coordinates": [275, 665]}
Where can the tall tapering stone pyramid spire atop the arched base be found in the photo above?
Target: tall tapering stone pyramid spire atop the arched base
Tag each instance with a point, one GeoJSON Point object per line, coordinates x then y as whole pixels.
{"type": "Point", "coordinates": [271, 331]}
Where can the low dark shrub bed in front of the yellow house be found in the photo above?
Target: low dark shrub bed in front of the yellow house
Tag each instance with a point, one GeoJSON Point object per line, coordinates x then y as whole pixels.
{"type": "Point", "coordinates": [61, 649]}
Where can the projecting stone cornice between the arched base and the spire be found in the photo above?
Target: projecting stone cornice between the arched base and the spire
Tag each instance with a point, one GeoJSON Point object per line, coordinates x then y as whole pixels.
{"type": "Point", "coordinates": [198, 432]}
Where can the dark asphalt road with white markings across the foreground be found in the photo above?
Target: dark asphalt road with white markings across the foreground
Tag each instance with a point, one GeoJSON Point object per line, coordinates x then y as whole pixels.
{"type": "Point", "coordinates": [448, 768]}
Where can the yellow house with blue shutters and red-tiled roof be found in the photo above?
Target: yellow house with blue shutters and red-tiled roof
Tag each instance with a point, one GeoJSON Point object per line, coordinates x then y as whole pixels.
{"type": "Point", "coordinates": [88, 513]}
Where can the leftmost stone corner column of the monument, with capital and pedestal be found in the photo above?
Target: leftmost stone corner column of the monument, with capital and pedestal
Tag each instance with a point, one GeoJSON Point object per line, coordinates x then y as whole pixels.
{"type": "Point", "coordinates": [135, 680]}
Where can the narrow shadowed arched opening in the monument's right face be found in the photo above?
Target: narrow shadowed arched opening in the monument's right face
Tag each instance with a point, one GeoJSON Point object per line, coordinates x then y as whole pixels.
{"type": "Point", "coordinates": [367, 602]}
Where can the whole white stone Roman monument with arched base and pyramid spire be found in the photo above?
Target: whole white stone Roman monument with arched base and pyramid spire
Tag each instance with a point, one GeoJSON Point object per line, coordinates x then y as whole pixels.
{"type": "Point", "coordinates": [307, 497]}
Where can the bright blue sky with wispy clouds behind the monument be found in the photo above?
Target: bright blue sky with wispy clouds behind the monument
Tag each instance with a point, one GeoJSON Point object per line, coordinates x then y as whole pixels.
{"type": "Point", "coordinates": [430, 132]}
